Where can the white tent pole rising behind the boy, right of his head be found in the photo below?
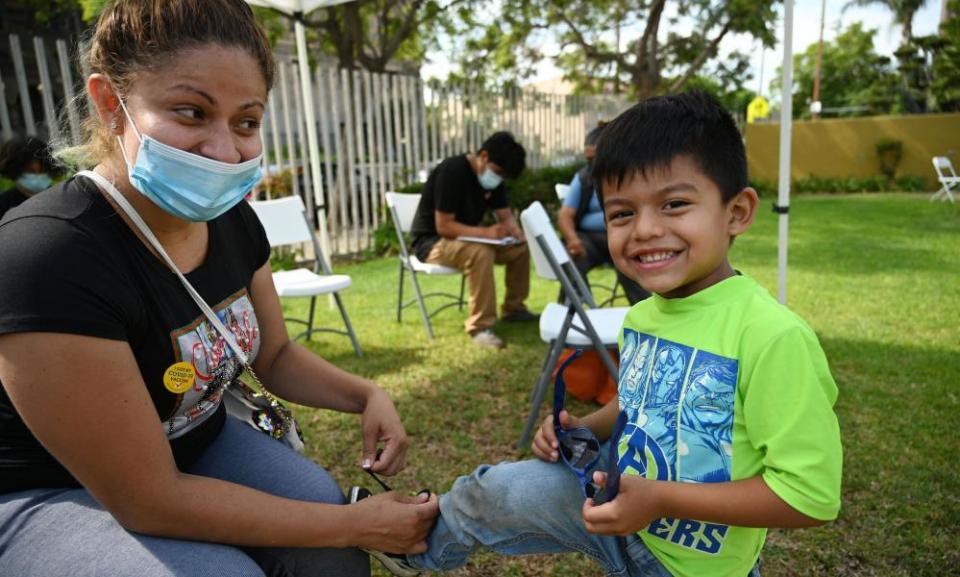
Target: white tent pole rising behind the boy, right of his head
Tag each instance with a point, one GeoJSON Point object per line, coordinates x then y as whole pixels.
{"type": "Point", "coordinates": [782, 207]}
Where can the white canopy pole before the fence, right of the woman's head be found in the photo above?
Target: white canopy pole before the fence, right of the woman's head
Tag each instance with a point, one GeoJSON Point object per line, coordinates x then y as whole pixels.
{"type": "Point", "coordinates": [297, 9]}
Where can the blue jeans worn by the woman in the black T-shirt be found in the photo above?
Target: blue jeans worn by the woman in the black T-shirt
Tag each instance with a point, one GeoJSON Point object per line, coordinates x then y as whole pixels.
{"type": "Point", "coordinates": [47, 532]}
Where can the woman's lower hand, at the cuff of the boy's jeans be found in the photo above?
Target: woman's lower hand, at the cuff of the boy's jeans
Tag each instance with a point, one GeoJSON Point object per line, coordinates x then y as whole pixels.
{"type": "Point", "coordinates": [395, 523]}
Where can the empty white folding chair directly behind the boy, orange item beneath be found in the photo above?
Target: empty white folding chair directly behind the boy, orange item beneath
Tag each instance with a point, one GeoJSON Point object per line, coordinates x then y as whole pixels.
{"type": "Point", "coordinates": [576, 323]}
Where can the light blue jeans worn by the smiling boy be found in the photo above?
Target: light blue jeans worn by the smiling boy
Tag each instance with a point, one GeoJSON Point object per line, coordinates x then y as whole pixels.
{"type": "Point", "coordinates": [524, 508]}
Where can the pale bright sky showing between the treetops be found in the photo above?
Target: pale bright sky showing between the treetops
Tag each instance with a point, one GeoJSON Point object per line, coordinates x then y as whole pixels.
{"type": "Point", "coordinates": [806, 31]}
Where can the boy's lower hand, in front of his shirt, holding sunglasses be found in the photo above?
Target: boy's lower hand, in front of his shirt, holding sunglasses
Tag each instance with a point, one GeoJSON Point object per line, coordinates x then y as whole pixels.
{"type": "Point", "coordinates": [636, 505]}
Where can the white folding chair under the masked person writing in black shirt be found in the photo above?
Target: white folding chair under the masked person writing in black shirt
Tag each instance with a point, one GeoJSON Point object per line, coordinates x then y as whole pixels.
{"type": "Point", "coordinates": [403, 208]}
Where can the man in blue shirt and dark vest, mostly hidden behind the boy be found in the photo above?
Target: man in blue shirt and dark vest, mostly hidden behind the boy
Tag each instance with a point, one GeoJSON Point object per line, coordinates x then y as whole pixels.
{"type": "Point", "coordinates": [582, 224]}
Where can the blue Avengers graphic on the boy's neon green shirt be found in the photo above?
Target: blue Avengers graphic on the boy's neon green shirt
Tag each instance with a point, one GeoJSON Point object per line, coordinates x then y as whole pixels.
{"type": "Point", "coordinates": [680, 402]}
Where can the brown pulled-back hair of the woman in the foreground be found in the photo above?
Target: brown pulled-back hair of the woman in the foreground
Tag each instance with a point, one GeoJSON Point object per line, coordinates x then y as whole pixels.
{"type": "Point", "coordinates": [136, 35]}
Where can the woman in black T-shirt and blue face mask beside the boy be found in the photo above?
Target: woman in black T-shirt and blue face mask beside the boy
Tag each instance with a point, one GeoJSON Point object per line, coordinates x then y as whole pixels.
{"type": "Point", "coordinates": [111, 462]}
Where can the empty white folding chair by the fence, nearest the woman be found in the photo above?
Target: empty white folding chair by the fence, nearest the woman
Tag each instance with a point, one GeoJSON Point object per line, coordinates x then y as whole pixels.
{"type": "Point", "coordinates": [286, 224]}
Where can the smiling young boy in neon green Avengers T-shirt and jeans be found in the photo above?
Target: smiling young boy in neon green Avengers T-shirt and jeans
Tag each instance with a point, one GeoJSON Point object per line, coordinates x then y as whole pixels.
{"type": "Point", "coordinates": [729, 398]}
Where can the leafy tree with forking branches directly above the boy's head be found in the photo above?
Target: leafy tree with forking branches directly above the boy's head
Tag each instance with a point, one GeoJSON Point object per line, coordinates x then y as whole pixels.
{"type": "Point", "coordinates": [591, 34]}
